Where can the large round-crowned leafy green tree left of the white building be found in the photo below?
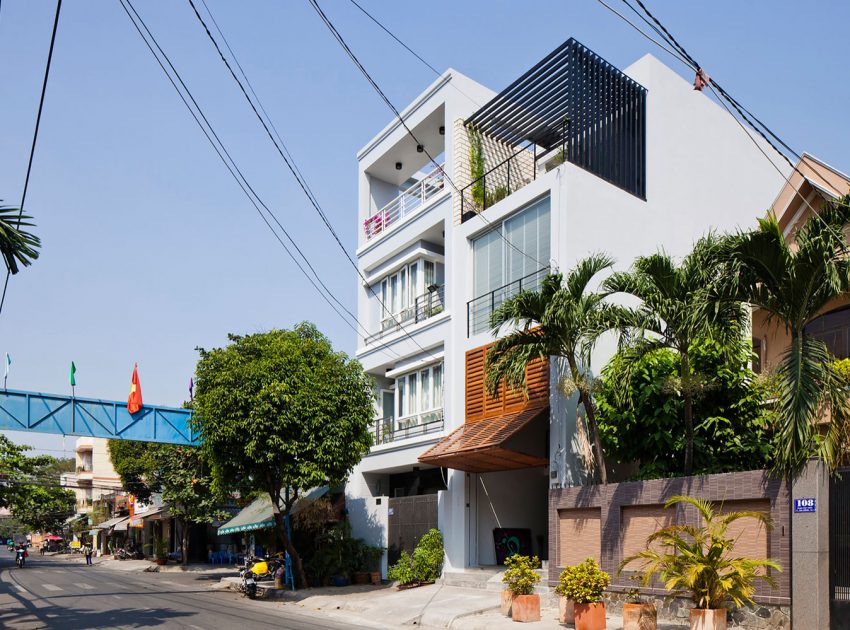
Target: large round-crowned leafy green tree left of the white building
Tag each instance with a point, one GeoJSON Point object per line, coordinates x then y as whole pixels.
{"type": "Point", "coordinates": [282, 412]}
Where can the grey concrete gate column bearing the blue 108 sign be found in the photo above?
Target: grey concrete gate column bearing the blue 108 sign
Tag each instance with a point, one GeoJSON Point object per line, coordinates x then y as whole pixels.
{"type": "Point", "coordinates": [810, 550]}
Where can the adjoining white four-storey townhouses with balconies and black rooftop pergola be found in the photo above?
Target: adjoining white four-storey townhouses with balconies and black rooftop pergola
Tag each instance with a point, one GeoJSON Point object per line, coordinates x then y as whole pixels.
{"type": "Point", "coordinates": [579, 157]}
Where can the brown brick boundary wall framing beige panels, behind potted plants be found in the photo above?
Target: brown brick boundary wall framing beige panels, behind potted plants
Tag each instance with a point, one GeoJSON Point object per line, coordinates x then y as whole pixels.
{"type": "Point", "coordinates": [611, 499]}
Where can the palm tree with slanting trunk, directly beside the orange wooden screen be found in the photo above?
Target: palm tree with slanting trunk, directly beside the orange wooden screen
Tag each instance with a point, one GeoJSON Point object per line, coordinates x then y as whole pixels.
{"type": "Point", "coordinates": [562, 319]}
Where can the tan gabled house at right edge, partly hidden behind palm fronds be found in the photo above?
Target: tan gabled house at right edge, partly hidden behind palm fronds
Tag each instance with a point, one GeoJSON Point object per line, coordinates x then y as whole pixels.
{"type": "Point", "coordinates": [807, 188]}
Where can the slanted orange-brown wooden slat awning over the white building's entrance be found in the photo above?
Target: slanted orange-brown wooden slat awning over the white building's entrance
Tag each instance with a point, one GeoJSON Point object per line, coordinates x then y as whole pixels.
{"type": "Point", "coordinates": [488, 445]}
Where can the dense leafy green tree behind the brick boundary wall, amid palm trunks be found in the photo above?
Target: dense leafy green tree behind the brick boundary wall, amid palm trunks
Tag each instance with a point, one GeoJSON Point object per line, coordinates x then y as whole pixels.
{"type": "Point", "coordinates": [733, 429]}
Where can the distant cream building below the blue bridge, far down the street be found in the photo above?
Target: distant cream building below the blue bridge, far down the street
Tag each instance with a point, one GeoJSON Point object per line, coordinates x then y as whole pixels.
{"type": "Point", "coordinates": [94, 477]}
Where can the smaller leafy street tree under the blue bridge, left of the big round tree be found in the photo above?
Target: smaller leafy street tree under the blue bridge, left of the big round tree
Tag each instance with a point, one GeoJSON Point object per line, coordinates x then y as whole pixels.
{"type": "Point", "coordinates": [180, 473]}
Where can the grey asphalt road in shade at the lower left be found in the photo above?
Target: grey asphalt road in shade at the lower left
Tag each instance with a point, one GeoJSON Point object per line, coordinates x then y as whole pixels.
{"type": "Point", "coordinates": [56, 593]}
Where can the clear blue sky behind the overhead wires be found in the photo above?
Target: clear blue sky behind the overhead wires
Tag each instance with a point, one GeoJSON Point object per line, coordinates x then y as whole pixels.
{"type": "Point", "coordinates": [150, 249]}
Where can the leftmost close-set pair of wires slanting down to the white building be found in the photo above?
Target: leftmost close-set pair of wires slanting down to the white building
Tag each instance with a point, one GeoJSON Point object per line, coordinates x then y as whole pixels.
{"type": "Point", "coordinates": [232, 167]}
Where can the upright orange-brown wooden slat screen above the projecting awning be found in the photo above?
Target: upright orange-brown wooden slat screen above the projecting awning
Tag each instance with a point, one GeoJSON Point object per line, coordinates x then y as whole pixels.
{"type": "Point", "coordinates": [480, 404]}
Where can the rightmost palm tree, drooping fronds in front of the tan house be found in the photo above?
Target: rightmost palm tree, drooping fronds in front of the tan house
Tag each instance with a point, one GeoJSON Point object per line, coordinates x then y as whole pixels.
{"type": "Point", "coordinates": [793, 284]}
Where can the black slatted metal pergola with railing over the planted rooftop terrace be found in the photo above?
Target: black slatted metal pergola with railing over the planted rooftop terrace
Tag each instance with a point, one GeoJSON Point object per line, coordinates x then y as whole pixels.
{"type": "Point", "coordinates": [573, 106]}
